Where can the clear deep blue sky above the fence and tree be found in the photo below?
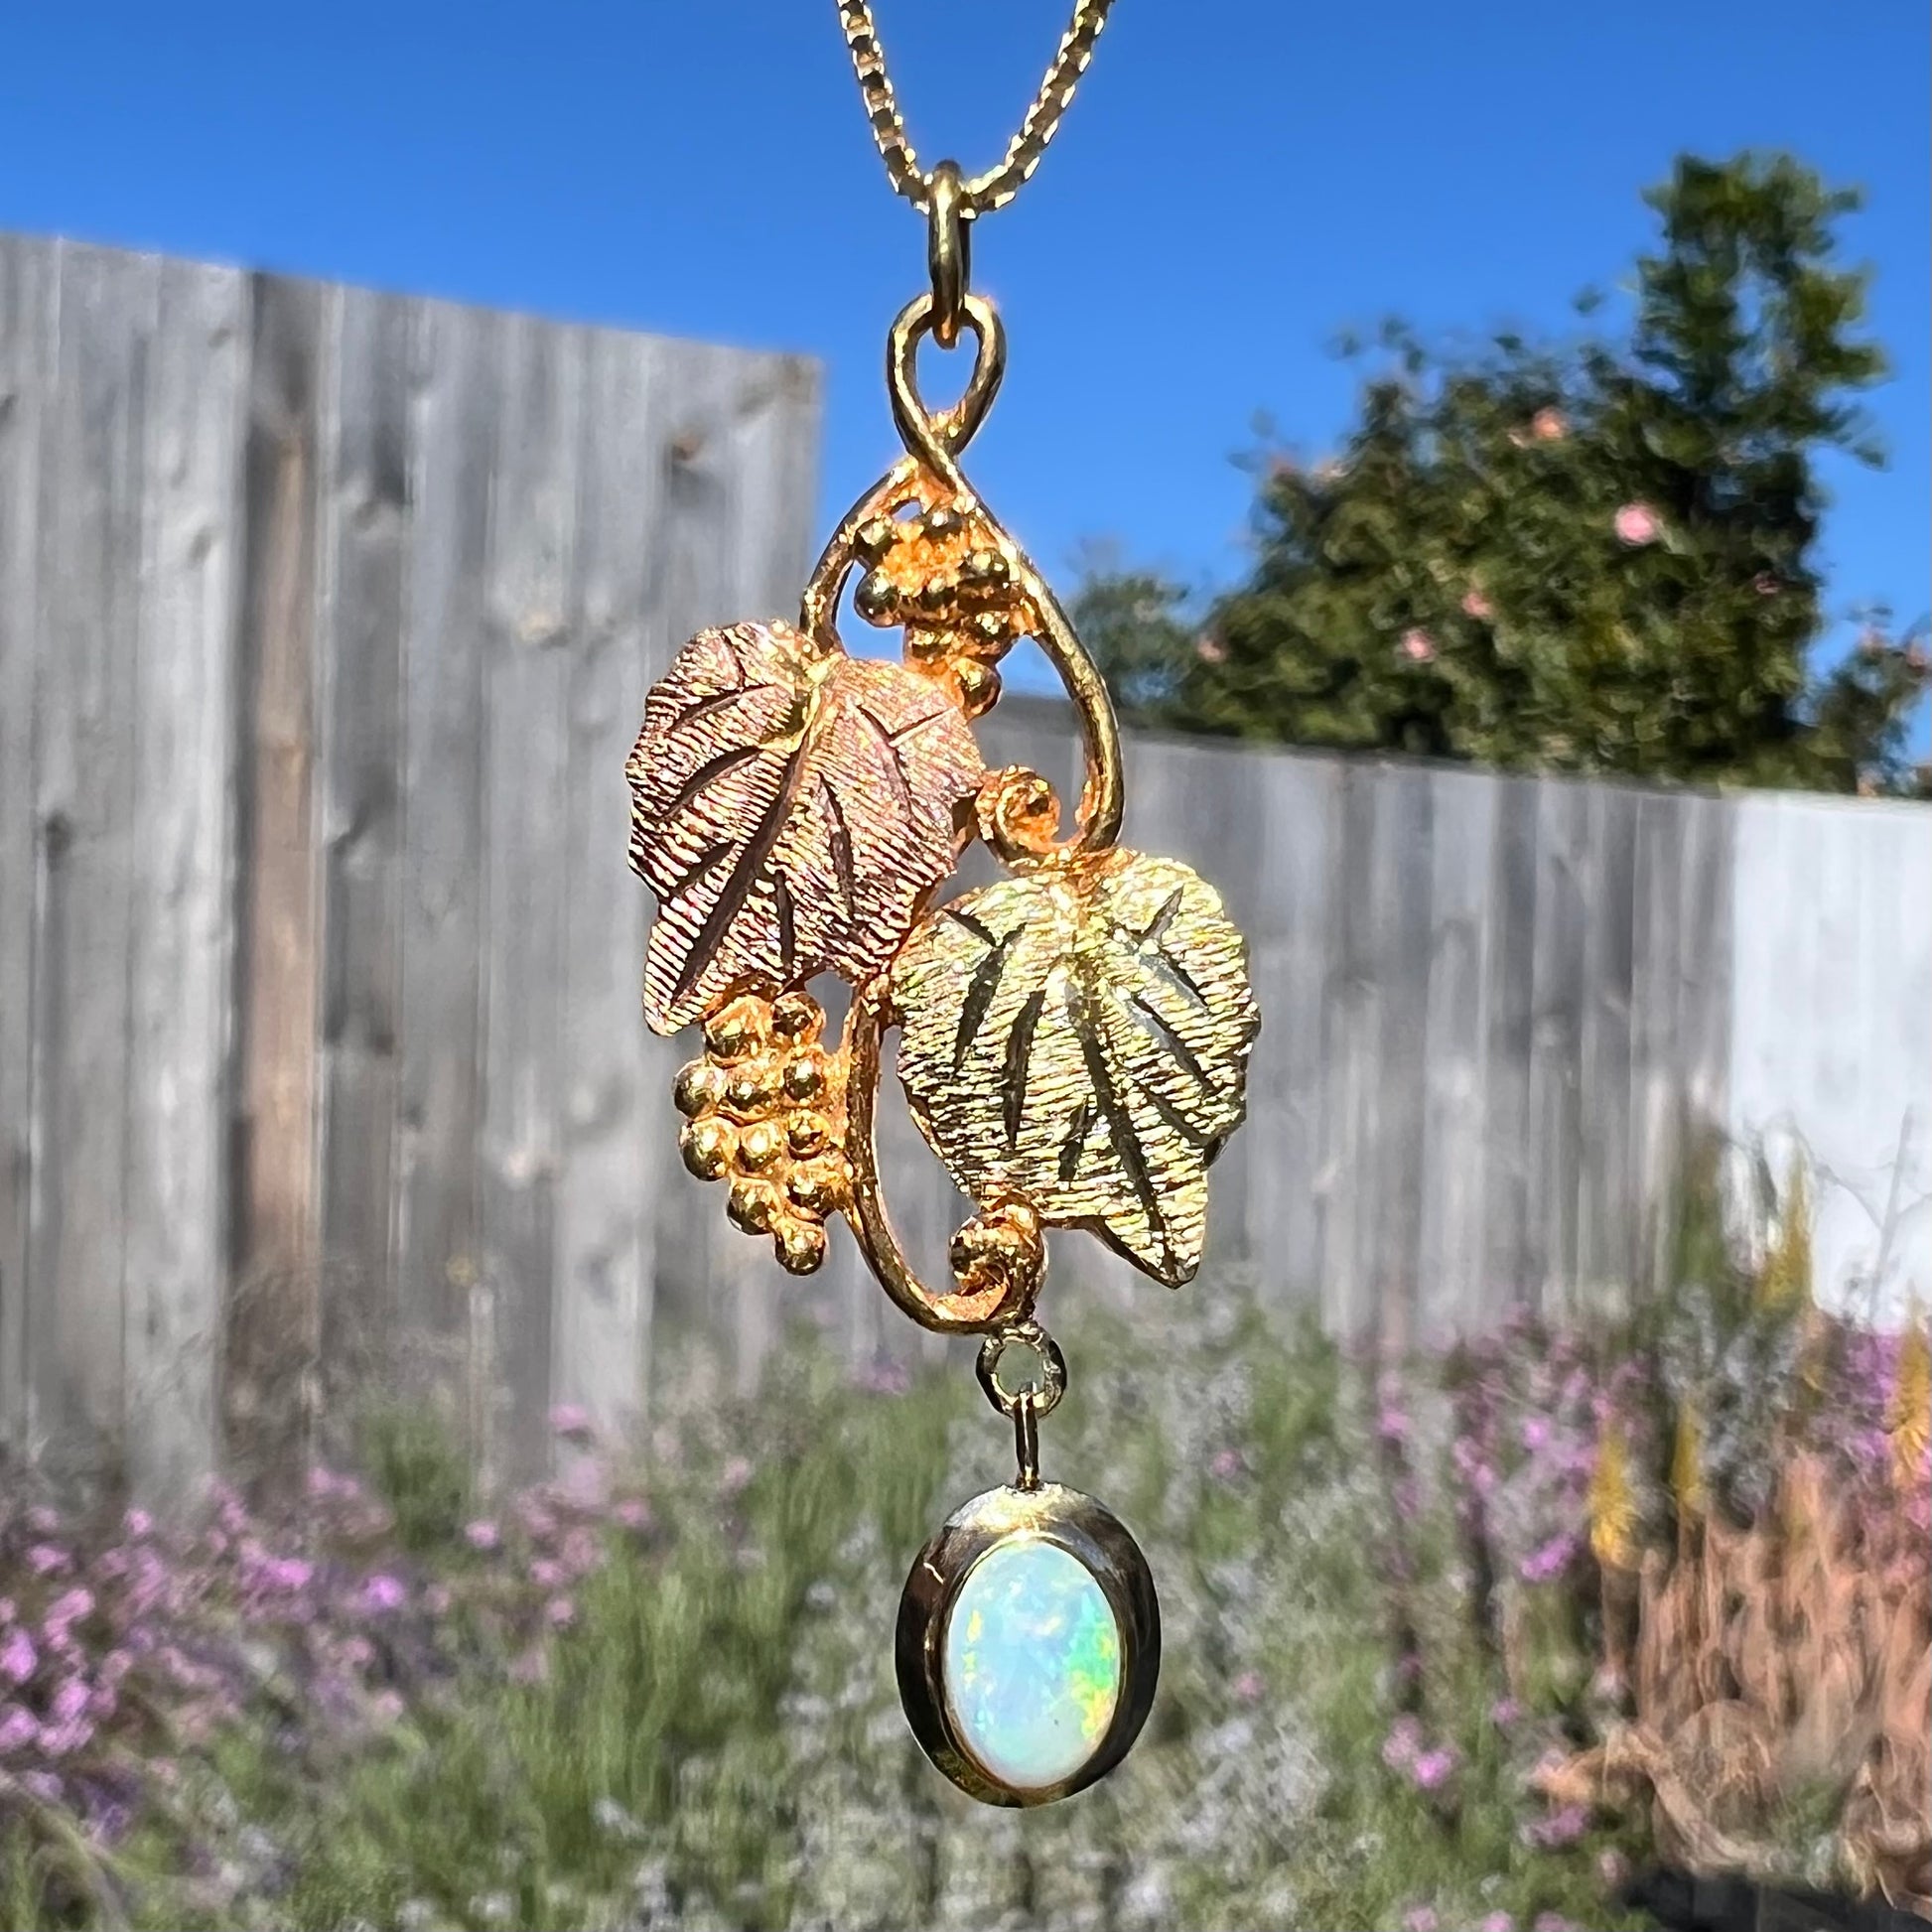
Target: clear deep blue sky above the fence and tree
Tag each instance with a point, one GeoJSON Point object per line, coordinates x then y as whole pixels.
{"type": "Point", "coordinates": [1236, 183]}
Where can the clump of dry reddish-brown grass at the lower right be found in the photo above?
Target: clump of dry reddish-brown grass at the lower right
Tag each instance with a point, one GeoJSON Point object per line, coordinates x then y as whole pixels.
{"type": "Point", "coordinates": [1778, 1670]}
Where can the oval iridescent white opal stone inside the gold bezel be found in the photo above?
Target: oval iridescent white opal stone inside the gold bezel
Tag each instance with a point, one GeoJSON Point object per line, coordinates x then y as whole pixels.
{"type": "Point", "coordinates": [1033, 1662]}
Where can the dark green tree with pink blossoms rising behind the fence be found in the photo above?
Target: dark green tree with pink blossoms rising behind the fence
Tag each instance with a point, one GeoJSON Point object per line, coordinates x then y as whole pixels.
{"type": "Point", "coordinates": [1597, 555]}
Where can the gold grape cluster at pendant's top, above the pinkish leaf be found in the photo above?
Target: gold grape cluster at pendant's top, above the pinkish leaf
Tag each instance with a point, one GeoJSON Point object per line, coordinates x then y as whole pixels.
{"type": "Point", "coordinates": [946, 579]}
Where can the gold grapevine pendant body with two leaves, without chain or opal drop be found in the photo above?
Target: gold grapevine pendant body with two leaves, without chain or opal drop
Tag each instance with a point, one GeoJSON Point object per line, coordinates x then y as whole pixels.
{"type": "Point", "coordinates": [1073, 1040]}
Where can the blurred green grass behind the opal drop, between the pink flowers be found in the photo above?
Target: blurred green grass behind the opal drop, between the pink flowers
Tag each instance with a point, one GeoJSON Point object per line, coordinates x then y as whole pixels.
{"type": "Point", "coordinates": [718, 1742]}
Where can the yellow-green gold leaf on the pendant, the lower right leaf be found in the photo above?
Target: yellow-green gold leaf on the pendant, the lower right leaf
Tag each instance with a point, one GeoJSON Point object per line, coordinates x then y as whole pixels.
{"type": "Point", "coordinates": [1079, 1038]}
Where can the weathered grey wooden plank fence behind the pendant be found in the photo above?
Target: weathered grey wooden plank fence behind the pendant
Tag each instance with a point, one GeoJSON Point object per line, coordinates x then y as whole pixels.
{"type": "Point", "coordinates": [326, 623]}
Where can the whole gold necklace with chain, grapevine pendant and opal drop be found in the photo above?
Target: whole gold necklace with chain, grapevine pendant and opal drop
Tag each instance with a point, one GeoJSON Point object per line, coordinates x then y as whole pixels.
{"type": "Point", "coordinates": [1073, 1040]}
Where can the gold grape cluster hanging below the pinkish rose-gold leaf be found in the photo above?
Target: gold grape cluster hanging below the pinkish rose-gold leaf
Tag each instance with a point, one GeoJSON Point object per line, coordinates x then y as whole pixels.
{"type": "Point", "coordinates": [766, 1108]}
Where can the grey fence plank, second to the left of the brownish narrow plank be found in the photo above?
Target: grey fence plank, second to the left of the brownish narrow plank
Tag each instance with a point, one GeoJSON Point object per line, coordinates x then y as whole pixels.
{"type": "Point", "coordinates": [92, 480]}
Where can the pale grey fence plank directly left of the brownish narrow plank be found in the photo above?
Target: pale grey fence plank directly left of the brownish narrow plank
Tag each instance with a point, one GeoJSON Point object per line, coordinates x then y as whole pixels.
{"type": "Point", "coordinates": [183, 892]}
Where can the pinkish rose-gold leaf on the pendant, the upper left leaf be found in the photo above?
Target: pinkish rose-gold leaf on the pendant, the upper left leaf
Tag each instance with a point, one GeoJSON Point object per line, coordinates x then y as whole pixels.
{"type": "Point", "coordinates": [793, 810]}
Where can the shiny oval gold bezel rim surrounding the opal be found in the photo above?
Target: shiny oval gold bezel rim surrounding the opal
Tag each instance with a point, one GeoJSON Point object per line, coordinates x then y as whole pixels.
{"type": "Point", "coordinates": [1102, 1545]}
